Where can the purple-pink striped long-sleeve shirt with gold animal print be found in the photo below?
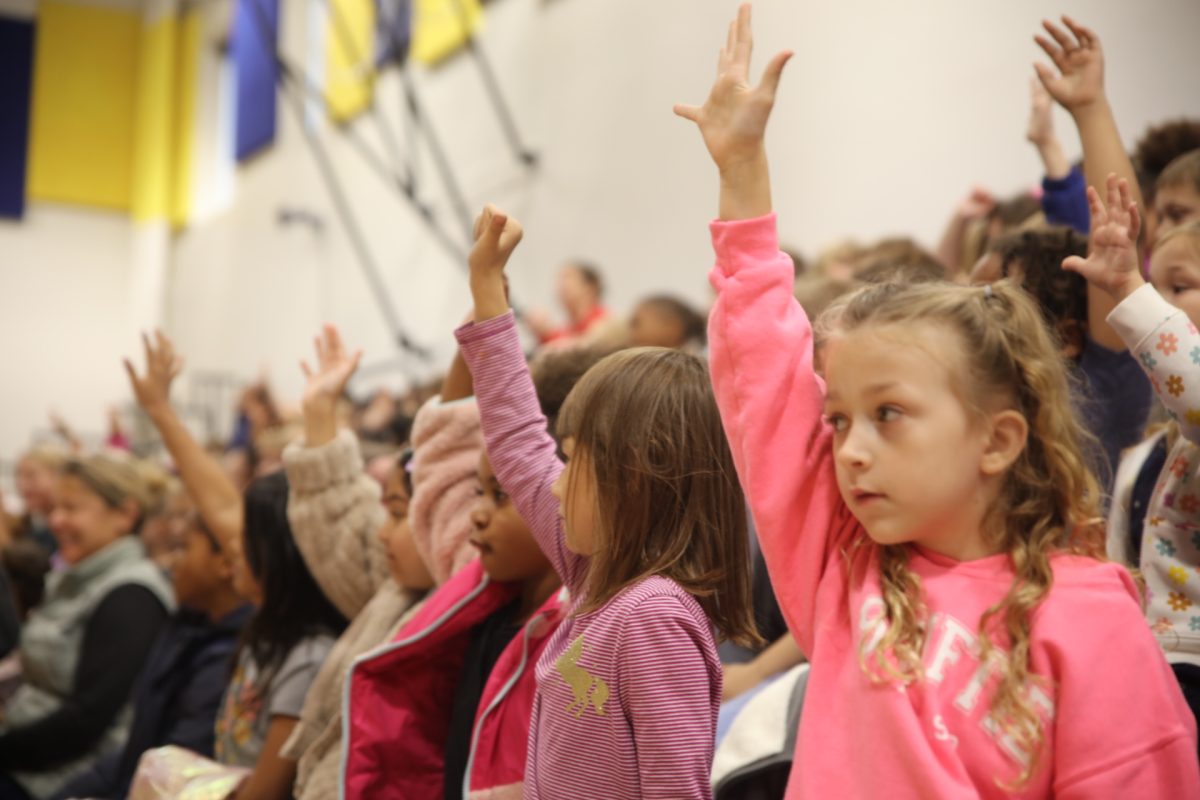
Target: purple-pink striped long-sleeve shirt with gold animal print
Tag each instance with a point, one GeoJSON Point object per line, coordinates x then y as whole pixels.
{"type": "Point", "coordinates": [628, 694]}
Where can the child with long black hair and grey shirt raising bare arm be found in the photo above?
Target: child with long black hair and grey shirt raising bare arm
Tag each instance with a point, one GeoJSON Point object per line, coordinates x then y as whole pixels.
{"type": "Point", "coordinates": [295, 624]}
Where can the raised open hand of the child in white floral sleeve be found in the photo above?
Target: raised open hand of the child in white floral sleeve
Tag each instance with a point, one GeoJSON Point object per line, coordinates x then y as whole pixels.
{"type": "Point", "coordinates": [1112, 263]}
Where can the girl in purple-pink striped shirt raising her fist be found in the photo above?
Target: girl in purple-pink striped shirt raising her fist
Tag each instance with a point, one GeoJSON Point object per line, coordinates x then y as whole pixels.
{"type": "Point", "coordinates": [645, 525]}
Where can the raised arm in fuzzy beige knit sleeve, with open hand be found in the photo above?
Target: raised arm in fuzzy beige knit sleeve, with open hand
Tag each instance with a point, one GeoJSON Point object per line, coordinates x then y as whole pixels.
{"type": "Point", "coordinates": [333, 504]}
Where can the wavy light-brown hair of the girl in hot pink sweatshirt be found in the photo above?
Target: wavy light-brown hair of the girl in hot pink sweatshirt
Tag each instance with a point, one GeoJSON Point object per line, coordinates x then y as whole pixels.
{"type": "Point", "coordinates": [1049, 502]}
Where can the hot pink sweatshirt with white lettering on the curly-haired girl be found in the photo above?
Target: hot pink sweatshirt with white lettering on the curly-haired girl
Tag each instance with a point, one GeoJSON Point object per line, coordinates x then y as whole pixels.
{"type": "Point", "coordinates": [1118, 725]}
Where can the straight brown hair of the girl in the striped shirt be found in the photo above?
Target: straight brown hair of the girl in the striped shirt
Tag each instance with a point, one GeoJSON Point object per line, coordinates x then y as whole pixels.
{"type": "Point", "coordinates": [668, 497]}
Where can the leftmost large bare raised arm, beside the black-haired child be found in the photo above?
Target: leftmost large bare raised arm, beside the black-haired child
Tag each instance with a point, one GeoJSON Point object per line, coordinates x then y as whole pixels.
{"type": "Point", "coordinates": [215, 496]}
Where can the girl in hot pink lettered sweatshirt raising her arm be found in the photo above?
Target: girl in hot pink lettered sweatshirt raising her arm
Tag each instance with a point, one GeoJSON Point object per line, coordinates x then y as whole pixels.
{"type": "Point", "coordinates": [929, 522]}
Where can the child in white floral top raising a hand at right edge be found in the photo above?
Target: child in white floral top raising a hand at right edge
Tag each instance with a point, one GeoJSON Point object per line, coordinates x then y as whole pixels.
{"type": "Point", "coordinates": [1167, 345]}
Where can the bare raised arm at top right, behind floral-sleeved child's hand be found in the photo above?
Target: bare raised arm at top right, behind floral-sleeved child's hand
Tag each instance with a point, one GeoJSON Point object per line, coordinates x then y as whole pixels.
{"type": "Point", "coordinates": [1079, 88]}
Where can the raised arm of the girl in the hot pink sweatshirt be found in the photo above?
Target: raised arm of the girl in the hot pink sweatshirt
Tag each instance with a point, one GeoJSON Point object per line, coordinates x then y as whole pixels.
{"type": "Point", "coordinates": [770, 396]}
